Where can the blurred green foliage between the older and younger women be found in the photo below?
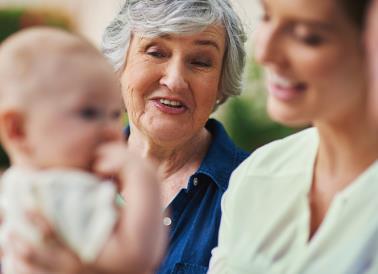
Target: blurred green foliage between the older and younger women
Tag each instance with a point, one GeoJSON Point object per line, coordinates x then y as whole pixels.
{"type": "Point", "coordinates": [245, 116]}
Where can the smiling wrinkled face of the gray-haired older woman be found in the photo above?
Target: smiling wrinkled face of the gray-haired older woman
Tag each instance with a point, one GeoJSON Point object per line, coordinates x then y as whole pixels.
{"type": "Point", "coordinates": [171, 83]}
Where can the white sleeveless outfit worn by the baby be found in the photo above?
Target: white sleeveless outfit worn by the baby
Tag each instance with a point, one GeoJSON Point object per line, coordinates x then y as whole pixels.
{"type": "Point", "coordinates": [77, 204]}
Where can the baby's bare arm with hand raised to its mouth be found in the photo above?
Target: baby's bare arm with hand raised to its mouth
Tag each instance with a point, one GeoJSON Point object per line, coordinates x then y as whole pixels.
{"type": "Point", "coordinates": [140, 228]}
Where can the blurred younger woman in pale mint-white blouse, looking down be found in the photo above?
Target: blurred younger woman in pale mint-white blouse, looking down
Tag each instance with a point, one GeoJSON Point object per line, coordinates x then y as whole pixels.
{"type": "Point", "coordinates": [312, 197]}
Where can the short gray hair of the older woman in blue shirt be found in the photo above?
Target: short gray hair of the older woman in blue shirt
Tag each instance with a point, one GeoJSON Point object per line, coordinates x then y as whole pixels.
{"type": "Point", "coordinates": [160, 17]}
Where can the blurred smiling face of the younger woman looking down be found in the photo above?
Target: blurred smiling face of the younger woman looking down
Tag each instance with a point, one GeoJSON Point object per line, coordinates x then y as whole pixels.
{"type": "Point", "coordinates": [314, 61]}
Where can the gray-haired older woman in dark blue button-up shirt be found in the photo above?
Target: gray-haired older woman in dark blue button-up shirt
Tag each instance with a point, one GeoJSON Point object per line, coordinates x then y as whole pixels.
{"type": "Point", "coordinates": [177, 60]}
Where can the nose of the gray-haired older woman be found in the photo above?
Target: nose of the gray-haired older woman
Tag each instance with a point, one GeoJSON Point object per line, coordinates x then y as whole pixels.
{"type": "Point", "coordinates": [174, 75]}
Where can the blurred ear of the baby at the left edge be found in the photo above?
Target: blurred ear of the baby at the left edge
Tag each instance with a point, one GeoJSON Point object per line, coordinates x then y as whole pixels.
{"type": "Point", "coordinates": [12, 125]}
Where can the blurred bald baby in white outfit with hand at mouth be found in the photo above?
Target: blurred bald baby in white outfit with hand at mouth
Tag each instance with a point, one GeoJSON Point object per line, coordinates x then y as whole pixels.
{"type": "Point", "coordinates": [60, 107]}
